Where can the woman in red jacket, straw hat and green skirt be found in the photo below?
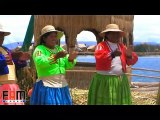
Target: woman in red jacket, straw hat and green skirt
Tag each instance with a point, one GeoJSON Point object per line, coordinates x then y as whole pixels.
{"type": "Point", "coordinates": [110, 84]}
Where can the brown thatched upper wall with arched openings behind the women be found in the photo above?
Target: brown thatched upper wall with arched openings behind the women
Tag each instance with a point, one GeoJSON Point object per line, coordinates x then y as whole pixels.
{"type": "Point", "coordinates": [74, 24]}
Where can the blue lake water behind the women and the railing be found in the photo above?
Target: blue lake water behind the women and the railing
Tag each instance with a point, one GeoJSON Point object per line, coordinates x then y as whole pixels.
{"type": "Point", "coordinates": [148, 62]}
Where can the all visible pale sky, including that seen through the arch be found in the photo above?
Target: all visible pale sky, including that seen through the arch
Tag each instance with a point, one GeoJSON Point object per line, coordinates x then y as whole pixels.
{"type": "Point", "coordinates": [146, 28]}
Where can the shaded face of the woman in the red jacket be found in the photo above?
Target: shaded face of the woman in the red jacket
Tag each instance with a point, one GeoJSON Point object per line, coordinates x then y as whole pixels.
{"type": "Point", "coordinates": [114, 36]}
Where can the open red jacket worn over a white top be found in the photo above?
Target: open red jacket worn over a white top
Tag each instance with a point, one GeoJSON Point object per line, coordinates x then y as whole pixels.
{"type": "Point", "coordinates": [104, 58]}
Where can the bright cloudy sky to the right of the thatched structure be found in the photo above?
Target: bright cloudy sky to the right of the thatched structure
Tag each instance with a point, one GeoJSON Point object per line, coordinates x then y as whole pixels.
{"type": "Point", "coordinates": [147, 28]}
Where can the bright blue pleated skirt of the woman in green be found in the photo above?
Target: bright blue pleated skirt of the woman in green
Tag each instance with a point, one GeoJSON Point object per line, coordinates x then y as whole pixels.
{"type": "Point", "coordinates": [42, 95]}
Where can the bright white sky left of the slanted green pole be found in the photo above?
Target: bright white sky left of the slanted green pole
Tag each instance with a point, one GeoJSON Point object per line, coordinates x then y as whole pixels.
{"type": "Point", "coordinates": [17, 25]}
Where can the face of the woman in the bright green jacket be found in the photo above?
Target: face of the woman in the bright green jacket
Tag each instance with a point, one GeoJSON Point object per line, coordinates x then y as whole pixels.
{"type": "Point", "coordinates": [51, 40]}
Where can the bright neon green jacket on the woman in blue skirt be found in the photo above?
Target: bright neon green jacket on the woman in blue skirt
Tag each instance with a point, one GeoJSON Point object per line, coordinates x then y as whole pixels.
{"type": "Point", "coordinates": [46, 66]}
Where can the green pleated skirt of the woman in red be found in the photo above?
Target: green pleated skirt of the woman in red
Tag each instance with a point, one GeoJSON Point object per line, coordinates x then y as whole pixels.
{"type": "Point", "coordinates": [109, 90]}
